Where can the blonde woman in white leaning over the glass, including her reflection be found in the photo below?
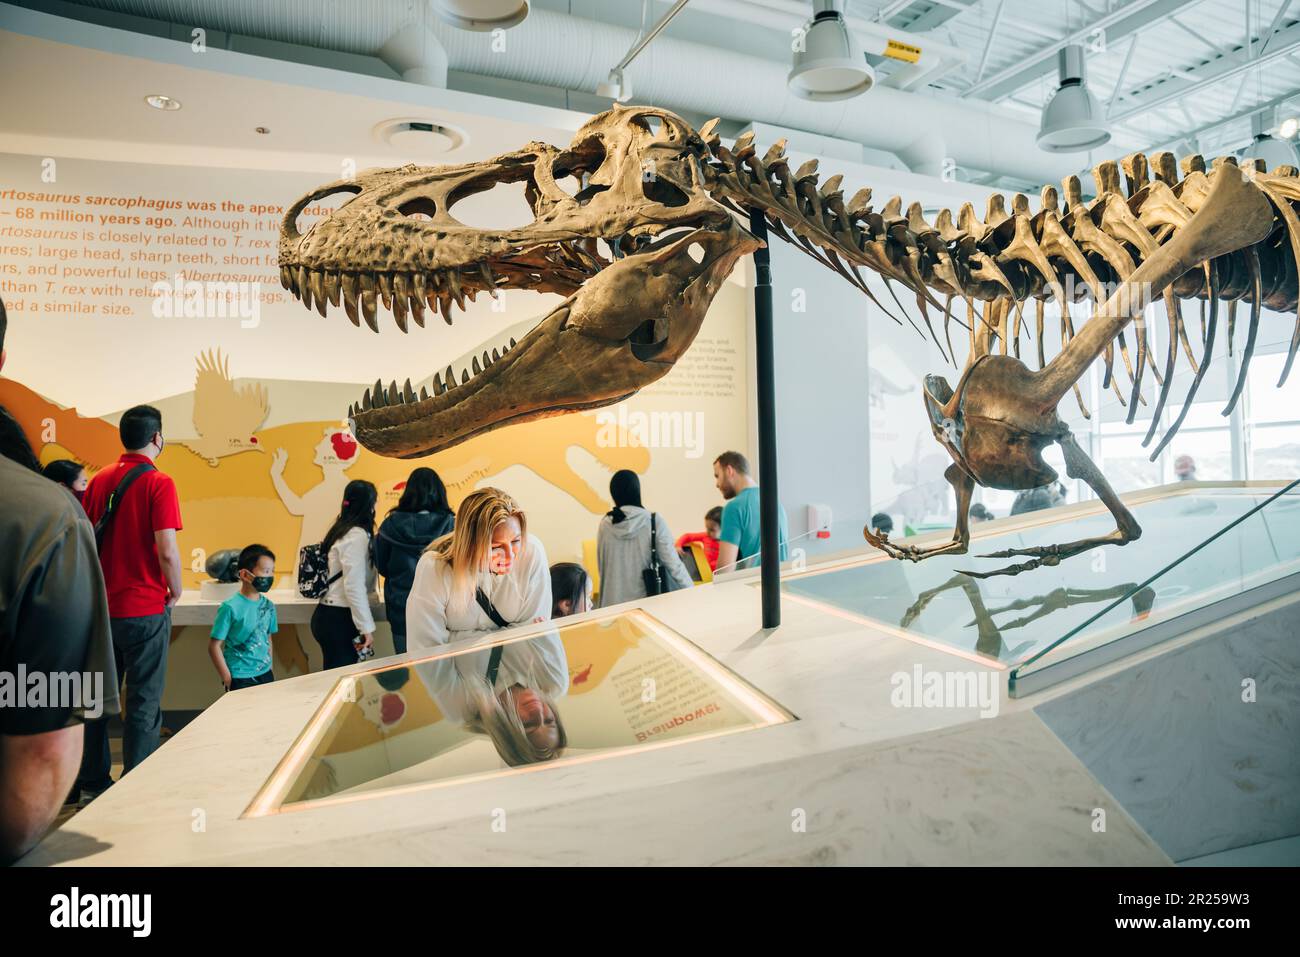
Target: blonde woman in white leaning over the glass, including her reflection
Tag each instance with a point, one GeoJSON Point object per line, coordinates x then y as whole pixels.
{"type": "Point", "coordinates": [508, 692]}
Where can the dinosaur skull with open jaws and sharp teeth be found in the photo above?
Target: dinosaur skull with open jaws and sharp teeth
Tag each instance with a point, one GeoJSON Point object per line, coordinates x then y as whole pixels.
{"type": "Point", "coordinates": [634, 308]}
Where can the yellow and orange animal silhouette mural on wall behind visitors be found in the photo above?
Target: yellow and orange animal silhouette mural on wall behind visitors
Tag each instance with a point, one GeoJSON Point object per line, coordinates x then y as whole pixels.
{"type": "Point", "coordinates": [229, 500]}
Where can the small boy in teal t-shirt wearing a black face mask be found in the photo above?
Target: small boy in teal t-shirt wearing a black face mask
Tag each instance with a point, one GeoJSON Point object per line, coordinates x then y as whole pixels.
{"type": "Point", "coordinates": [241, 636]}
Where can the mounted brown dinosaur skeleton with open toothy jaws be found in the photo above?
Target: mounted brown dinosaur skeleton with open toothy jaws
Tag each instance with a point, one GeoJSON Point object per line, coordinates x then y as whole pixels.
{"type": "Point", "coordinates": [655, 227]}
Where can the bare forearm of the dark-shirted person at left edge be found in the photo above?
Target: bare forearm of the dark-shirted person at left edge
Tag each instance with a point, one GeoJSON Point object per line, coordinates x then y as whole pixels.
{"type": "Point", "coordinates": [37, 772]}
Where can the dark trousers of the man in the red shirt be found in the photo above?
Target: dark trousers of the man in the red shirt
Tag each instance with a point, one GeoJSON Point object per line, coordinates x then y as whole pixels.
{"type": "Point", "coordinates": [140, 647]}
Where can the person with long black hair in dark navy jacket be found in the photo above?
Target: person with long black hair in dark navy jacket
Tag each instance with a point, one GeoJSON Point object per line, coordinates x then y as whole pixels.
{"type": "Point", "coordinates": [421, 517]}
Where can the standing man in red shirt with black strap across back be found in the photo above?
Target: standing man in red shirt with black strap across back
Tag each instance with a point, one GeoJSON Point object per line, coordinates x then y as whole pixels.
{"type": "Point", "coordinates": [142, 574]}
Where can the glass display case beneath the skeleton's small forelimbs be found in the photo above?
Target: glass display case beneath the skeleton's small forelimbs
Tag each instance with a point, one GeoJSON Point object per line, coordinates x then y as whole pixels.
{"type": "Point", "coordinates": [1201, 545]}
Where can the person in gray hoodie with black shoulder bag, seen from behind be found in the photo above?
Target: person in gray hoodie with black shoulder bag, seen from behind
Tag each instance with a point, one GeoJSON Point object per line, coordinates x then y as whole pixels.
{"type": "Point", "coordinates": [623, 545]}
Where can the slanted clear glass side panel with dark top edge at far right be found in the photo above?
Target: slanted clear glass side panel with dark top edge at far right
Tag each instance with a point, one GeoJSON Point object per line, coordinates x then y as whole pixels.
{"type": "Point", "coordinates": [1219, 562]}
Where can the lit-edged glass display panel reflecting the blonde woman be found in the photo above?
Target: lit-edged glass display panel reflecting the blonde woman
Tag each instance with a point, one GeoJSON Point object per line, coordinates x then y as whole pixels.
{"type": "Point", "coordinates": [561, 695]}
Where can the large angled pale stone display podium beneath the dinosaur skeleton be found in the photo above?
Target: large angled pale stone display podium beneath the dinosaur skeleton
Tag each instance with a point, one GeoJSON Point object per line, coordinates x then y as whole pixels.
{"type": "Point", "coordinates": [1132, 707]}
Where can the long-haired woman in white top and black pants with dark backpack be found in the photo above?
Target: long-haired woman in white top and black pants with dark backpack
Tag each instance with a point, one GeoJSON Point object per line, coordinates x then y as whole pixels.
{"type": "Point", "coordinates": [344, 623]}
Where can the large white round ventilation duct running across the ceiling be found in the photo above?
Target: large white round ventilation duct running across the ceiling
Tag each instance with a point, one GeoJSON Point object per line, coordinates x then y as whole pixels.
{"type": "Point", "coordinates": [678, 75]}
